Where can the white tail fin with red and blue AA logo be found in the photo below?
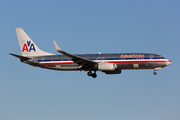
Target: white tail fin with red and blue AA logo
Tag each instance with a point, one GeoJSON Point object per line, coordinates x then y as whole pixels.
{"type": "Point", "coordinates": [27, 46]}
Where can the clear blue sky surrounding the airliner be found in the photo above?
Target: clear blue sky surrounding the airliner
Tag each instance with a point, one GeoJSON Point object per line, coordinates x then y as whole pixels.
{"type": "Point", "coordinates": [80, 26]}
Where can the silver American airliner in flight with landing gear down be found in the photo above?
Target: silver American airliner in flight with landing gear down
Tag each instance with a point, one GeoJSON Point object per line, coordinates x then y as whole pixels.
{"type": "Point", "coordinates": [107, 63]}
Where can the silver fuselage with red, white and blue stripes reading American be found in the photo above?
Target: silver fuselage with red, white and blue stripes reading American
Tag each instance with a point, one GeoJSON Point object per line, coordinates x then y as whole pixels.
{"type": "Point", "coordinates": [122, 60]}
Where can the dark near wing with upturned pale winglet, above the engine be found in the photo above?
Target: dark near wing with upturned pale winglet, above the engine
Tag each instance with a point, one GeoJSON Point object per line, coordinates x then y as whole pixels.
{"type": "Point", "coordinates": [77, 59]}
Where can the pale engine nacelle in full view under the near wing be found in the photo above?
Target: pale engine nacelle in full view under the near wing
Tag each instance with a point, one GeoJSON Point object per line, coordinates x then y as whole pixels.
{"type": "Point", "coordinates": [107, 66]}
